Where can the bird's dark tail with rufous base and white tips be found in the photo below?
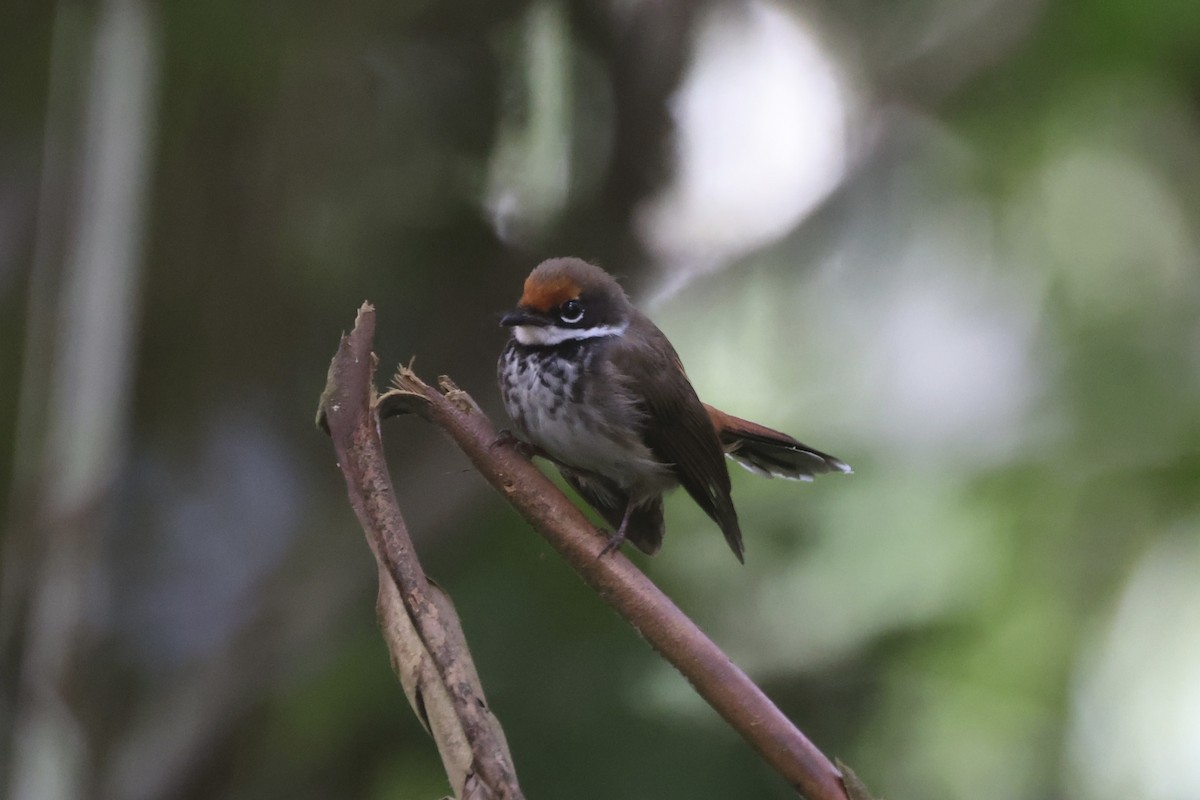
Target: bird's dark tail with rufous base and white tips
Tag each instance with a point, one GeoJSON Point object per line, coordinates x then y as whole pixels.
{"type": "Point", "coordinates": [770, 453]}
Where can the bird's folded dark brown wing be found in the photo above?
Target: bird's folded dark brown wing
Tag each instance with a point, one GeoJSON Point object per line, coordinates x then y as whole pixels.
{"type": "Point", "coordinates": [677, 426]}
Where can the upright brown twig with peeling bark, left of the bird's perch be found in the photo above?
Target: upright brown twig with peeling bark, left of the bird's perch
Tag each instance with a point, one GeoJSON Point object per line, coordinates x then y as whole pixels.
{"type": "Point", "coordinates": [423, 633]}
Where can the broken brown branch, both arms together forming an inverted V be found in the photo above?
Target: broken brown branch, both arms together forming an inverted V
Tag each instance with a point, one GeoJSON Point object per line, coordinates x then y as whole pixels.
{"type": "Point", "coordinates": [352, 413]}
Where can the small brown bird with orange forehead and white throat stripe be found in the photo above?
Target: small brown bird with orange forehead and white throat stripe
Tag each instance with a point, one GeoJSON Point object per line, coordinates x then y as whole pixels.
{"type": "Point", "coordinates": [597, 388]}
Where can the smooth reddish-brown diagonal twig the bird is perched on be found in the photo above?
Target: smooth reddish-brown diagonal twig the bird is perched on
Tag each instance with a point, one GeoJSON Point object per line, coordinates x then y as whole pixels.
{"type": "Point", "coordinates": [622, 586]}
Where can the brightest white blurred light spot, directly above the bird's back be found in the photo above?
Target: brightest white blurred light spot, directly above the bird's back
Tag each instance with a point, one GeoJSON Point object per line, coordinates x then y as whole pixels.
{"type": "Point", "coordinates": [763, 137]}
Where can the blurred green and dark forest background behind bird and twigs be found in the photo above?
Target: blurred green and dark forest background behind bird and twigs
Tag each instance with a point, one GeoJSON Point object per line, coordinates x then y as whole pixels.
{"type": "Point", "coordinates": [956, 243]}
